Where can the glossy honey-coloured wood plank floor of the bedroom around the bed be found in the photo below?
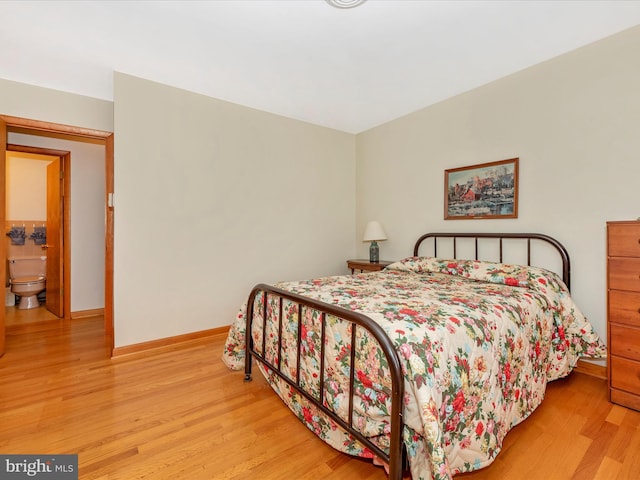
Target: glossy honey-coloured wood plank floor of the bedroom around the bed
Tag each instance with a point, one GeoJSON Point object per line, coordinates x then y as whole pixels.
{"type": "Point", "coordinates": [180, 414]}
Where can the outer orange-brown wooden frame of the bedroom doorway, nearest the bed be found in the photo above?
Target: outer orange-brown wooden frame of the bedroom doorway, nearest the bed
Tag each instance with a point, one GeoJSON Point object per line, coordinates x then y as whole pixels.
{"type": "Point", "coordinates": [10, 124]}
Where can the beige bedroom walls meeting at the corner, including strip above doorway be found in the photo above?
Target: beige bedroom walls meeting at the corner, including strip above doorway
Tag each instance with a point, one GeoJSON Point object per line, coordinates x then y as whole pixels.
{"type": "Point", "coordinates": [202, 185]}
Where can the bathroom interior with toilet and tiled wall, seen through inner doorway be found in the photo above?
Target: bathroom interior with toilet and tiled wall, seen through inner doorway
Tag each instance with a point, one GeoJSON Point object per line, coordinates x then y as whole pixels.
{"type": "Point", "coordinates": [26, 235]}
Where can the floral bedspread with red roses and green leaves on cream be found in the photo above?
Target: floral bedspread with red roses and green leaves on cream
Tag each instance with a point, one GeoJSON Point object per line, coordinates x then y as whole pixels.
{"type": "Point", "coordinates": [478, 343]}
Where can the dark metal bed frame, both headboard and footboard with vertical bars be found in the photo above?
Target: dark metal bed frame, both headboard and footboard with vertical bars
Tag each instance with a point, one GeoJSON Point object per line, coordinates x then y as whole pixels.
{"type": "Point", "coordinates": [396, 456]}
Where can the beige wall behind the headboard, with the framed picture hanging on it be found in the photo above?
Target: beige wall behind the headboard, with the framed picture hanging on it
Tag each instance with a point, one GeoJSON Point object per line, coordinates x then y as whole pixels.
{"type": "Point", "coordinates": [573, 122]}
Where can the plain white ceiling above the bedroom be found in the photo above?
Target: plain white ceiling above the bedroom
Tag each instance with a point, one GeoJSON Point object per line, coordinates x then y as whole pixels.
{"type": "Point", "coordinates": [349, 70]}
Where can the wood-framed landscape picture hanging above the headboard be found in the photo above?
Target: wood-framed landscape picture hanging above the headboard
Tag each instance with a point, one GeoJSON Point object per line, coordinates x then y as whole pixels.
{"type": "Point", "coordinates": [487, 190]}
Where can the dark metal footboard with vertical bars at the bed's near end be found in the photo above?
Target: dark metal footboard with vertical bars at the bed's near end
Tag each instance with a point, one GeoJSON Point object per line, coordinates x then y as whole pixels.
{"type": "Point", "coordinates": [394, 457]}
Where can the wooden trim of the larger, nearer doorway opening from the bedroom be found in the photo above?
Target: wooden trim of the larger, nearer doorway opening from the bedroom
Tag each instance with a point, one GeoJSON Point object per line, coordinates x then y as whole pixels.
{"type": "Point", "coordinates": [68, 132]}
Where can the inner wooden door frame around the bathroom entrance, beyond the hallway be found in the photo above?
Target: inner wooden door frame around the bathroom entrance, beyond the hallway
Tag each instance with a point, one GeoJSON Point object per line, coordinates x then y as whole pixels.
{"type": "Point", "coordinates": [65, 160]}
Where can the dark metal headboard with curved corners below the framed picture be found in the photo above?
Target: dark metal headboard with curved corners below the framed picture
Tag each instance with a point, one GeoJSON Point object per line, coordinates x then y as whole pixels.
{"type": "Point", "coordinates": [562, 252]}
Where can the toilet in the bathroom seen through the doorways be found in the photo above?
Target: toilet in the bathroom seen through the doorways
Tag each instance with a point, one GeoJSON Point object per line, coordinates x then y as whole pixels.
{"type": "Point", "coordinates": [27, 276]}
